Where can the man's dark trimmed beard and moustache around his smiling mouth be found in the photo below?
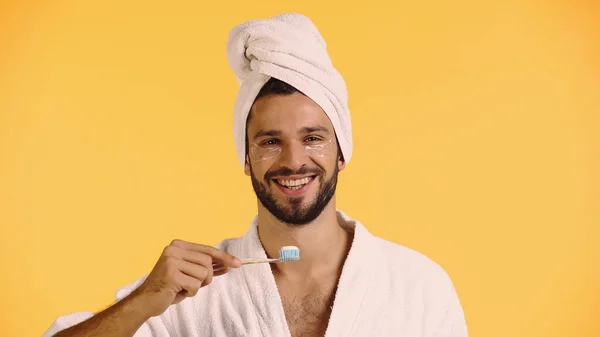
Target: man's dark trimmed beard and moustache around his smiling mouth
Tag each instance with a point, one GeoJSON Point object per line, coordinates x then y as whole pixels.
{"type": "Point", "coordinates": [295, 214]}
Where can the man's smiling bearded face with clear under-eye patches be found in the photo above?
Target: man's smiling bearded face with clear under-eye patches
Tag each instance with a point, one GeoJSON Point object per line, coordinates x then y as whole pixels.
{"type": "Point", "coordinates": [293, 157]}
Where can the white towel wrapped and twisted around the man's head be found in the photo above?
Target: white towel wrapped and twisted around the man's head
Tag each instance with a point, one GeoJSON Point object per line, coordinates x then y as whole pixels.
{"type": "Point", "coordinates": [290, 48]}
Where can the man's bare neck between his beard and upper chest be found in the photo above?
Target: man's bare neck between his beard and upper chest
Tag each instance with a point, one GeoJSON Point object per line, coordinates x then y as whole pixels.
{"type": "Point", "coordinates": [323, 243]}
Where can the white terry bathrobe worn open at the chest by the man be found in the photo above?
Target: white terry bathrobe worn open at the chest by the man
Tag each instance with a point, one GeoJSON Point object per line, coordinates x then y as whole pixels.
{"type": "Point", "coordinates": [385, 290]}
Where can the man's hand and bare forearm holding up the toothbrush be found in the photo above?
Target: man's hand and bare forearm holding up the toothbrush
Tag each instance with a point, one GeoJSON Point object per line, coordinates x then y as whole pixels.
{"type": "Point", "coordinates": [182, 269]}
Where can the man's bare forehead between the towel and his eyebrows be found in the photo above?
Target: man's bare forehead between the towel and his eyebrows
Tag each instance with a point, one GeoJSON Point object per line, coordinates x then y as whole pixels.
{"type": "Point", "coordinates": [286, 113]}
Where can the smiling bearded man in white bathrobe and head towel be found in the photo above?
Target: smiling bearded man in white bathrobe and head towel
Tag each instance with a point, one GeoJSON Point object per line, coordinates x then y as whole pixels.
{"type": "Point", "coordinates": [293, 137]}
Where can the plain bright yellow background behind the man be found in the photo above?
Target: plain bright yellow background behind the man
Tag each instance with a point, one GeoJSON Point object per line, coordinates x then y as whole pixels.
{"type": "Point", "coordinates": [476, 142]}
